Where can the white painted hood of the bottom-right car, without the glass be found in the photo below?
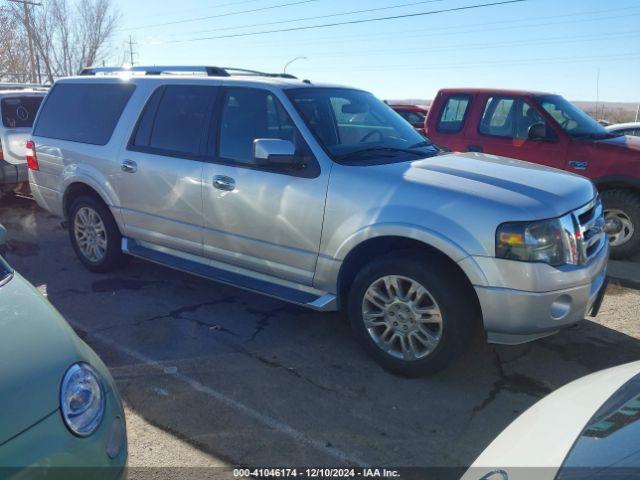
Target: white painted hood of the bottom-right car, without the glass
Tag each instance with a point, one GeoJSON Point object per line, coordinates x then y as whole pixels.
{"type": "Point", "coordinates": [536, 444]}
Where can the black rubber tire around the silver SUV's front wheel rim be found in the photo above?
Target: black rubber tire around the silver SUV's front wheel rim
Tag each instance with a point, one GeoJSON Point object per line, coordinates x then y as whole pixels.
{"type": "Point", "coordinates": [448, 288]}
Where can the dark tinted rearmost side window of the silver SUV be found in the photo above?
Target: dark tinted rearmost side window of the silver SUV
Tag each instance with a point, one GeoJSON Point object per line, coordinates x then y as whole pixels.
{"type": "Point", "coordinates": [84, 113]}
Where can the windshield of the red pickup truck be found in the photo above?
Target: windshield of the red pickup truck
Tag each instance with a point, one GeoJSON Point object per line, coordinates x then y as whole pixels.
{"type": "Point", "coordinates": [572, 120]}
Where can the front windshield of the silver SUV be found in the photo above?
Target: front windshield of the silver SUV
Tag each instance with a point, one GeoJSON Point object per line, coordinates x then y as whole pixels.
{"type": "Point", "coordinates": [355, 127]}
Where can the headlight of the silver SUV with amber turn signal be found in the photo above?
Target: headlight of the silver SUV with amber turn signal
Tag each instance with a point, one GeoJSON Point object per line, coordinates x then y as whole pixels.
{"type": "Point", "coordinates": [549, 241]}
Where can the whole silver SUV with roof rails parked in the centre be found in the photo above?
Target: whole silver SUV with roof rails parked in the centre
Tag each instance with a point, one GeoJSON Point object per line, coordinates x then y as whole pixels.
{"type": "Point", "coordinates": [321, 196]}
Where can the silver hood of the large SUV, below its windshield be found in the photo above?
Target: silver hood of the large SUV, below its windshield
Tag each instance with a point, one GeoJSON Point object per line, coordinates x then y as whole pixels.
{"type": "Point", "coordinates": [513, 188]}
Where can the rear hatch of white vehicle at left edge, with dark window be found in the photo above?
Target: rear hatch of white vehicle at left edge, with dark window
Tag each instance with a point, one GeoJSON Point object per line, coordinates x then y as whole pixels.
{"type": "Point", "coordinates": [18, 113]}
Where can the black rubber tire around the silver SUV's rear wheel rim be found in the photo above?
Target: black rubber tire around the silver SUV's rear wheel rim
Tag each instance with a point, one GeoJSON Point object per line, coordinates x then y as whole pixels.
{"type": "Point", "coordinates": [113, 257]}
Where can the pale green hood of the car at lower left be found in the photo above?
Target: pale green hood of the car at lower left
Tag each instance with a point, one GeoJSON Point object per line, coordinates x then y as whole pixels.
{"type": "Point", "coordinates": [36, 347]}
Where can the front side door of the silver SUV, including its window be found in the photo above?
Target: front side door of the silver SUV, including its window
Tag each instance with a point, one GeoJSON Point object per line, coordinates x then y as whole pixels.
{"type": "Point", "coordinates": [255, 217]}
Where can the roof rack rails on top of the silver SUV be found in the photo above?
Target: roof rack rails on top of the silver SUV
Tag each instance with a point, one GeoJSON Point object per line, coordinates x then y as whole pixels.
{"type": "Point", "coordinates": [168, 70]}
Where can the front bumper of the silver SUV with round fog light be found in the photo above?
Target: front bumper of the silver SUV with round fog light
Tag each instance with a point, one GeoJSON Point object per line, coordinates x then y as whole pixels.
{"type": "Point", "coordinates": [554, 298]}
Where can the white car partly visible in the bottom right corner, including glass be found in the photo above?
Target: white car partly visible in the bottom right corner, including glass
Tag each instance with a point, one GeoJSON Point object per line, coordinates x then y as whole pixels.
{"type": "Point", "coordinates": [587, 429]}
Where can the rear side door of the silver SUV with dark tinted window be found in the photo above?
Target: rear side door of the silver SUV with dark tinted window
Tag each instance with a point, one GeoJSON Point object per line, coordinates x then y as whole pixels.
{"type": "Point", "coordinates": [159, 183]}
